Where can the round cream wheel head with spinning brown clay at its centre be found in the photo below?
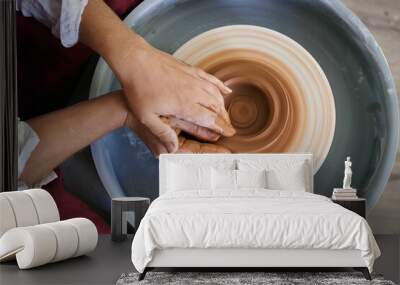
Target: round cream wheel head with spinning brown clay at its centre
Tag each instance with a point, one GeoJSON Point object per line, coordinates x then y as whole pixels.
{"type": "Point", "coordinates": [281, 100]}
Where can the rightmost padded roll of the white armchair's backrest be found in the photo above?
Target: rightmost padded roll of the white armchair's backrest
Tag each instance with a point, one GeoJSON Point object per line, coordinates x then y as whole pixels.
{"type": "Point", "coordinates": [45, 205]}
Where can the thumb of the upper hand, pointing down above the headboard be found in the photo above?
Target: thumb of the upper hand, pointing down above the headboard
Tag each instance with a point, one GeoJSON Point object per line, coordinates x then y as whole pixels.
{"type": "Point", "coordinates": [162, 131]}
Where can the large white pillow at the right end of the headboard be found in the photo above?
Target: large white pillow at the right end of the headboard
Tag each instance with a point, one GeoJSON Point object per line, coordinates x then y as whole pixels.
{"type": "Point", "coordinates": [293, 179]}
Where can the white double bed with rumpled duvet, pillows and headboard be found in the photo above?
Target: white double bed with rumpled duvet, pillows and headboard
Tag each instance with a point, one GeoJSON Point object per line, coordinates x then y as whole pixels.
{"type": "Point", "coordinates": [196, 224]}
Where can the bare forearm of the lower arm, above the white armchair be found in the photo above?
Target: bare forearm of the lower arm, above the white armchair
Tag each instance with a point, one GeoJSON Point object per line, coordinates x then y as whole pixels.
{"type": "Point", "coordinates": [63, 133]}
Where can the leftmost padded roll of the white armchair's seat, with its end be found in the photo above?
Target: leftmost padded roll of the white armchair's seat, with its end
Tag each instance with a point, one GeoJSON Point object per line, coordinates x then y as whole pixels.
{"type": "Point", "coordinates": [33, 246]}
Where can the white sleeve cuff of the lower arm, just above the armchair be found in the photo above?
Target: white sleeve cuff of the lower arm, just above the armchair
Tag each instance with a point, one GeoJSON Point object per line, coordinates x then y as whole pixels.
{"type": "Point", "coordinates": [27, 141]}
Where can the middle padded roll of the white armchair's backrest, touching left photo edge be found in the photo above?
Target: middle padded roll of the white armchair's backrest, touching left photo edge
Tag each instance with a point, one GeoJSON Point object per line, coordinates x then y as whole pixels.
{"type": "Point", "coordinates": [23, 208]}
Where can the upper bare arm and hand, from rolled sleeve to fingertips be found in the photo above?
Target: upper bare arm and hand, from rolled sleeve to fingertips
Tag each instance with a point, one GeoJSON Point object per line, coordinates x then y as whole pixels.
{"type": "Point", "coordinates": [155, 83]}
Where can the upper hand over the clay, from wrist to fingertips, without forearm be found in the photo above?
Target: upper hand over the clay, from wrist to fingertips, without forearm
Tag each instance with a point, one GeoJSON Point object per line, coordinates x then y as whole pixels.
{"type": "Point", "coordinates": [157, 85]}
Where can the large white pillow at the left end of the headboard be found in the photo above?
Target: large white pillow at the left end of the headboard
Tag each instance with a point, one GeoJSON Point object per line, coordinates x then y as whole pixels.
{"type": "Point", "coordinates": [181, 178]}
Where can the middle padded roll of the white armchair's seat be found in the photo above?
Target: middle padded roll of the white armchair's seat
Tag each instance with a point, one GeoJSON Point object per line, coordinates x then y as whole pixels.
{"type": "Point", "coordinates": [67, 239]}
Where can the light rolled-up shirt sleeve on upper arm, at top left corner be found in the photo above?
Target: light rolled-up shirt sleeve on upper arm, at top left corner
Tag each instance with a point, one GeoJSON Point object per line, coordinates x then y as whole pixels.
{"type": "Point", "coordinates": [62, 16]}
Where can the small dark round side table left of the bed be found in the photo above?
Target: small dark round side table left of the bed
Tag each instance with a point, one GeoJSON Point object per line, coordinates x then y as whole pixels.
{"type": "Point", "coordinates": [120, 208]}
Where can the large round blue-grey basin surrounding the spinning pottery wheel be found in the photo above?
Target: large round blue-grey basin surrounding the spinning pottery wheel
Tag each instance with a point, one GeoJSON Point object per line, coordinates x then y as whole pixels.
{"type": "Point", "coordinates": [365, 98]}
